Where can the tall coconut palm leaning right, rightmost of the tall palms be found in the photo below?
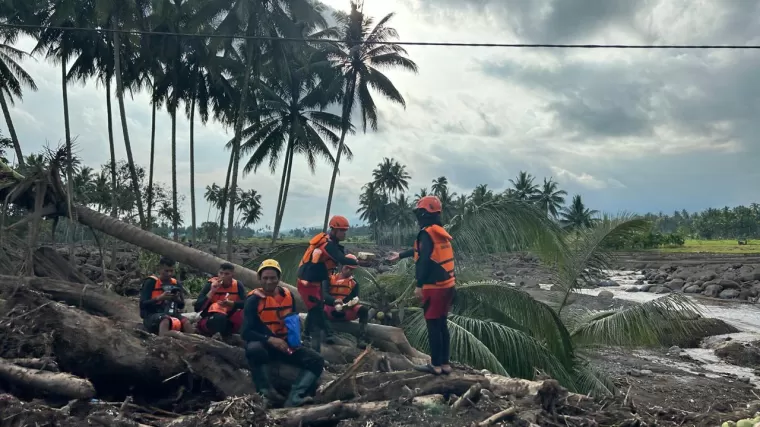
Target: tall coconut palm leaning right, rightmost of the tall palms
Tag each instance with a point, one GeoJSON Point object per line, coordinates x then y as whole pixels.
{"type": "Point", "coordinates": [360, 61]}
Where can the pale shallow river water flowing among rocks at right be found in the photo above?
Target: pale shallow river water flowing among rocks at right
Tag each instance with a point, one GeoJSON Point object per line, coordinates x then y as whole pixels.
{"type": "Point", "coordinates": [745, 317]}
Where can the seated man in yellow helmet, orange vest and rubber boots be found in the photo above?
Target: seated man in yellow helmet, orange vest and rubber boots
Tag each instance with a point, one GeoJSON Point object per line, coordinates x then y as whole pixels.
{"type": "Point", "coordinates": [272, 331]}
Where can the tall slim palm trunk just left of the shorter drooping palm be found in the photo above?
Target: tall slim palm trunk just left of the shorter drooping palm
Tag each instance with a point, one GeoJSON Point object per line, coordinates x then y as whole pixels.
{"type": "Point", "coordinates": [242, 108]}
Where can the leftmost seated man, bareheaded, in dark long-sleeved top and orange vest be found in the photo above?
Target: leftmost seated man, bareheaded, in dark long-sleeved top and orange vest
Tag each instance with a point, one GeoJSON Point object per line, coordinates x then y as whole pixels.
{"type": "Point", "coordinates": [162, 301]}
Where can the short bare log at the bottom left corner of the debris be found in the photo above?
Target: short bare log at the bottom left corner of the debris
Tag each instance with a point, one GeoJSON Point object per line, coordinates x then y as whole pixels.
{"type": "Point", "coordinates": [60, 384]}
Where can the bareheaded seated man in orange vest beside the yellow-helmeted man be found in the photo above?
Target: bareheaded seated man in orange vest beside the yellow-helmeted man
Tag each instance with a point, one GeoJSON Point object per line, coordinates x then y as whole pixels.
{"type": "Point", "coordinates": [221, 303]}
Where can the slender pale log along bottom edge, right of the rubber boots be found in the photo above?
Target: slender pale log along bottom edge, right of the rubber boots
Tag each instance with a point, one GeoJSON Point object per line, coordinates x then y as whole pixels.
{"type": "Point", "coordinates": [336, 411]}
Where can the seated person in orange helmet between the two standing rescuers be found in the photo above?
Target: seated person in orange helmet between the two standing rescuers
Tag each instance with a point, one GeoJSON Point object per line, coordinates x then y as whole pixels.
{"type": "Point", "coordinates": [341, 296]}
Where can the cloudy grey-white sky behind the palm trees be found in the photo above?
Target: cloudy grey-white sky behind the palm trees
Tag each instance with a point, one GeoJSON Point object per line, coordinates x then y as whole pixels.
{"type": "Point", "coordinates": [629, 130]}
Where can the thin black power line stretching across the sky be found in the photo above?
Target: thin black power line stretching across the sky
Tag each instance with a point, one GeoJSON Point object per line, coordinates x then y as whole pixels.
{"type": "Point", "coordinates": [401, 43]}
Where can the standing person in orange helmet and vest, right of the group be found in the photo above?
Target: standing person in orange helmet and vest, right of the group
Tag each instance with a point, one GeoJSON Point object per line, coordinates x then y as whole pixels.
{"type": "Point", "coordinates": [434, 272]}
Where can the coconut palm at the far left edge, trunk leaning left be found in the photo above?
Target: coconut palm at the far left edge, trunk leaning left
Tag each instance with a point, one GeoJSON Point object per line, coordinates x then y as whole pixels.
{"type": "Point", "coordinates": [13, 78]}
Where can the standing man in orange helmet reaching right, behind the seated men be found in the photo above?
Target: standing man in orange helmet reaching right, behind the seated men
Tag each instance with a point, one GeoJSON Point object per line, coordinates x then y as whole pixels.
{"type": "Point", "coordinates": [317, 264]}
